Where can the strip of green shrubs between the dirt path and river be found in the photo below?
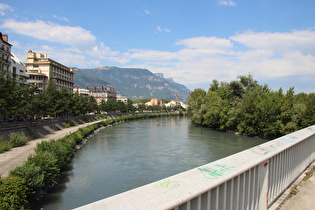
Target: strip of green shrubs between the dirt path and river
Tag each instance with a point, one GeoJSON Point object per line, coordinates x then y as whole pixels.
{"type": "Point", "coordinates": [34, 176]}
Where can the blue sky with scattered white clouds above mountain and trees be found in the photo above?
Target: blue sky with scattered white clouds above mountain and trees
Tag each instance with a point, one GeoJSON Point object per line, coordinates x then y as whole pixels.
{"type": "Point", "coordinates": [191, 41]}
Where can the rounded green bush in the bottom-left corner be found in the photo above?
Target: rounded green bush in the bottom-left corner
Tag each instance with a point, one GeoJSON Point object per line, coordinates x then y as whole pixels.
{"type": "Point", "coordinates": [13, 193]}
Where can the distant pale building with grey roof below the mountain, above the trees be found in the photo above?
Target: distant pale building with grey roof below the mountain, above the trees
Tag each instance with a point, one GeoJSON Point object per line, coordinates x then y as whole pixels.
{"type": "Point", "coordinates": [102, 93]}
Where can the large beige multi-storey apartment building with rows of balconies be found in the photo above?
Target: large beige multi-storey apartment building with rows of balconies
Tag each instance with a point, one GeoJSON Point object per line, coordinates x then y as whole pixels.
{"type": "Point", "coordinates": [42, 69]}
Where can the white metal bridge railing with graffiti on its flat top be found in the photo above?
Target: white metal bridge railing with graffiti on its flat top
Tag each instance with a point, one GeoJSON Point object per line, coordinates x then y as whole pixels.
{"type": "Point", "coordinates": [251, 179]}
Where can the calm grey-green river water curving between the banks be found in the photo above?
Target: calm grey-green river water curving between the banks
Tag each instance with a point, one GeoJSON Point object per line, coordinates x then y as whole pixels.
{"type": "Point", "coordinates": [135, 153]}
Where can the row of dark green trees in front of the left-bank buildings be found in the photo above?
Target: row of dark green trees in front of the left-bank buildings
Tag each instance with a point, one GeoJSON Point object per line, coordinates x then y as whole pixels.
{"type": "Point", "coordinates": [22, 100]}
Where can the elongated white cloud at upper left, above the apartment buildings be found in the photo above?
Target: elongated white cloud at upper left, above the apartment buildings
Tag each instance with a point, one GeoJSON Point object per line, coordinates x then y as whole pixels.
{"type": "Point", "coordinates": [73, 36]}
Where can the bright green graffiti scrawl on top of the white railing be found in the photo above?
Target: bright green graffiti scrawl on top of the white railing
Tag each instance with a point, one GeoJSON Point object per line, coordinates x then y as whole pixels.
{"type": "Point", "coordinates": [215, 171]}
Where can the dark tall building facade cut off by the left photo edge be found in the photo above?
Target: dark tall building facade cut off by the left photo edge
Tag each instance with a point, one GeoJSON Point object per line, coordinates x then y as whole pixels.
{"type": "Point", "coordinates": [5, 53]}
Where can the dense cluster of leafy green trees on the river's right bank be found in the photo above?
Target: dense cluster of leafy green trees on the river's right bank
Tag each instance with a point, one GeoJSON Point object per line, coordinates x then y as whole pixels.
{"type": "Point", "coordinates": [247, 107]}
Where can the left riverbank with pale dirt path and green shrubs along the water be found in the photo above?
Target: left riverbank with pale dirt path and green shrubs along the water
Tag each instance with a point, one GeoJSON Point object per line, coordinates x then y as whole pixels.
{"type": "Point", "coordinates": [26, 180]}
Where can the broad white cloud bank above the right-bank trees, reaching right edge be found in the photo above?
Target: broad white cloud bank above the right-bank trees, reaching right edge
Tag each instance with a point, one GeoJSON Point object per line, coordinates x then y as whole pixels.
{"type": "Point", "coordinates": [266, 55]}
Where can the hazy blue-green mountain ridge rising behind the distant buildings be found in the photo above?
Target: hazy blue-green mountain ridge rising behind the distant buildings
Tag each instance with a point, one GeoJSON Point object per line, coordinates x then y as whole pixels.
{"type": "Point", "coordinates": [136, 83]}
